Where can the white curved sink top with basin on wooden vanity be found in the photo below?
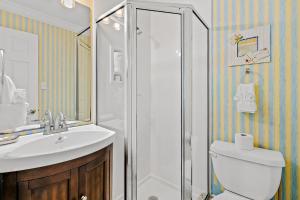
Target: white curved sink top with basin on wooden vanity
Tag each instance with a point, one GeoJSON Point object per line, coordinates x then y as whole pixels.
{"type": "Point", "coordinates": [39, 150]}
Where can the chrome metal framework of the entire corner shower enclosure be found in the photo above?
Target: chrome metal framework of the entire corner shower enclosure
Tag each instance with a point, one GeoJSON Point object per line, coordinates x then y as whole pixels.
{"type": "Point", "coordinates": [186, 12]}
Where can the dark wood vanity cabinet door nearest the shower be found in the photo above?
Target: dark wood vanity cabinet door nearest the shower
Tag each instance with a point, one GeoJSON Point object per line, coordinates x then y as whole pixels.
{"type": "Point", "coordinates": [94, 179]}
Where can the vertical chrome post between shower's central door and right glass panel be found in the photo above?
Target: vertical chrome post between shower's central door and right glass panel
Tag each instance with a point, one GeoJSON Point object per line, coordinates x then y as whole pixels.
{"type": "Point", "coordinates": [186, 179]}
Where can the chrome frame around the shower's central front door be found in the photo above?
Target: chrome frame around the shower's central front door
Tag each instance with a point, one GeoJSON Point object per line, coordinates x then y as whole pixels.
{"type": "Point", "coordinates": [131, 47]}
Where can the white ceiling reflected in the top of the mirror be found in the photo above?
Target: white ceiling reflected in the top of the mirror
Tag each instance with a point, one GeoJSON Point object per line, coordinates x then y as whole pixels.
{"type": "Point", "coordinates": [51, 12]}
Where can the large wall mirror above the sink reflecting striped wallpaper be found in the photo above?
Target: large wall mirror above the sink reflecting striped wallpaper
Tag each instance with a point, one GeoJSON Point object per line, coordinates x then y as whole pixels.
{"type": "Point", "coordinates": [45, 62]}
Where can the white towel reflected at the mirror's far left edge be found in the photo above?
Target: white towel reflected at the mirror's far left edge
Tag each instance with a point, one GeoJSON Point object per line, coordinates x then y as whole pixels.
{"type": "Point", "coordinates": [7, 90]}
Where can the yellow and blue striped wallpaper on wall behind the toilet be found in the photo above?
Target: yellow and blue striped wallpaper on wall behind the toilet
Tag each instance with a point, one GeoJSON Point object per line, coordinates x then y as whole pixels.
{"type": "Point", "coordinates": [275, 125]}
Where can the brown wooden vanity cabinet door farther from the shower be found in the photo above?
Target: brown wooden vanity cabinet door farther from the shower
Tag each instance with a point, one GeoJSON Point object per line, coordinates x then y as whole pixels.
{"type": "Point", "coordinates": [60, 186]}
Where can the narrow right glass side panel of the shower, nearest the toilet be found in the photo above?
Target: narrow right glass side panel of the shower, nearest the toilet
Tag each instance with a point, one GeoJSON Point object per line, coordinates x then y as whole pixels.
{"type": "Point", "coordinates": [199, 144]}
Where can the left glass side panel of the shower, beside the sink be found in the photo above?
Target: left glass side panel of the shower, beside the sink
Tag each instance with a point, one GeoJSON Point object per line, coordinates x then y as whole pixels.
{"type": "Point", "coordinates": [111, 81]}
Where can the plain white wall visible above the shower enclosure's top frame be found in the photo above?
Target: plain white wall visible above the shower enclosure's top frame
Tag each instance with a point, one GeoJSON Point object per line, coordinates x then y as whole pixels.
{"type": "Point", "coordinates": [204, 7]}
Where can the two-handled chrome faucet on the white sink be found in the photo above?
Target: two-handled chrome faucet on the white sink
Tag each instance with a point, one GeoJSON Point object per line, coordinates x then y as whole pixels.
{"type": "Point", "coordinates": [50, 126]}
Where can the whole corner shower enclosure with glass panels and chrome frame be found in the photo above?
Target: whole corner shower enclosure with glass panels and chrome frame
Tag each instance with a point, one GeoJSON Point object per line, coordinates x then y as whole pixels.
{"type": "Point", "coordinates": [152, 89]}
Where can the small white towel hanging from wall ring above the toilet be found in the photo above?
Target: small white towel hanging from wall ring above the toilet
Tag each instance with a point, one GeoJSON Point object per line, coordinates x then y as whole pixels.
{"type": "Point", "coordinates": [245, 97]}
